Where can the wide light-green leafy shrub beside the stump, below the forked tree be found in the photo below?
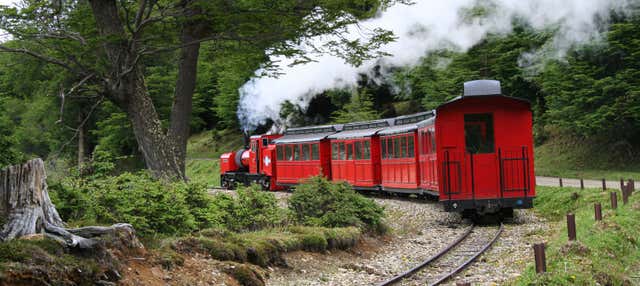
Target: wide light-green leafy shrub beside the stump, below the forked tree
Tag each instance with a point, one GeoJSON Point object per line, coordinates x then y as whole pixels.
{"type": "Point", "coordinates": [151, 206]}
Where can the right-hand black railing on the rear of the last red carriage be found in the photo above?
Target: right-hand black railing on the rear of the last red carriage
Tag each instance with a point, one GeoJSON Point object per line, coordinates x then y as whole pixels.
{"type": "Point", "coordinates": [514, 170]}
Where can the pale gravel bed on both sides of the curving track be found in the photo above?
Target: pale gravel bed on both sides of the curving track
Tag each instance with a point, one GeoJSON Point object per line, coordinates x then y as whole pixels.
{"type": "Point", "coordinates": [420, 229]}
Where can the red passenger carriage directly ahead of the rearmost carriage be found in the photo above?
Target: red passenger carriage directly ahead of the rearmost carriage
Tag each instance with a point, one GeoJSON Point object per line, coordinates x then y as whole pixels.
{"type": "Point", "coordinates": [399, 167]}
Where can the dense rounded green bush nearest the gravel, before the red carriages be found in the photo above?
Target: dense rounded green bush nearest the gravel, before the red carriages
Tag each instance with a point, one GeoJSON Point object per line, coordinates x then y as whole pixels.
{"type": "Point", "coordinates": [319, 202]}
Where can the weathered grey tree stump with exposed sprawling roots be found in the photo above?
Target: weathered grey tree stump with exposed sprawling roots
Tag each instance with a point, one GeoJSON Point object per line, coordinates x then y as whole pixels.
{"type": "Point", "coordinates": [26, 209]}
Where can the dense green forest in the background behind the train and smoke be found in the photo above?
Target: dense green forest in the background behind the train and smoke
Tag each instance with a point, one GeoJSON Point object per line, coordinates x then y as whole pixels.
{"type": "Point", "coordinates": [65, 112]}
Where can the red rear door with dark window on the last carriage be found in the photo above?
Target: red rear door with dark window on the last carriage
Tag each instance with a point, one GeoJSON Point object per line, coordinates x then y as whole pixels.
{"type": "Point", "coordinates": [481, 152]}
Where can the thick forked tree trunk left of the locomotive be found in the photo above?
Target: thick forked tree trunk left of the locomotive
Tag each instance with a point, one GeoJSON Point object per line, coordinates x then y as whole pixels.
{"type": "Point", "coordinates": [164, 152]}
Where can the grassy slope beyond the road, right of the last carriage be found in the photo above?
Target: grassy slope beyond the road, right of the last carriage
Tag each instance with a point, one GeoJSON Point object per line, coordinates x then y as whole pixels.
{"type": "Point", "coordinates": [573, 158]}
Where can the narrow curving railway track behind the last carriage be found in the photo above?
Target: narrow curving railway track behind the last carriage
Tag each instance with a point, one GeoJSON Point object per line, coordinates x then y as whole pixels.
{"type": "Point", "coordinates": [450, 260]}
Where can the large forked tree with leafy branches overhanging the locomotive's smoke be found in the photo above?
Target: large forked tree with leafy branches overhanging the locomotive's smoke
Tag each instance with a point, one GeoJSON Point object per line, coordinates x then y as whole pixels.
{"type": "Point", "coordinates": [107, 45]}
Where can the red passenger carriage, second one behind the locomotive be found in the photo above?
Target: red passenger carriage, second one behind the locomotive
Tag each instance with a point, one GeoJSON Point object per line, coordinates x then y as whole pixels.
{"type": "Point", "coordinates": [355, 154]}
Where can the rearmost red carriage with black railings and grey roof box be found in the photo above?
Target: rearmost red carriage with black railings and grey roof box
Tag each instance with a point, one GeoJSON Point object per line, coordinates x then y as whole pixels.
{"type": "Point", "coordinates": [484, 147]}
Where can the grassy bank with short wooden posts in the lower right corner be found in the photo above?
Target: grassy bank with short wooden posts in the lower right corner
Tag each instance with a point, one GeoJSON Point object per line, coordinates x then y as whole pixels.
{"type": "Point", "coordinates": [606, 252]}
